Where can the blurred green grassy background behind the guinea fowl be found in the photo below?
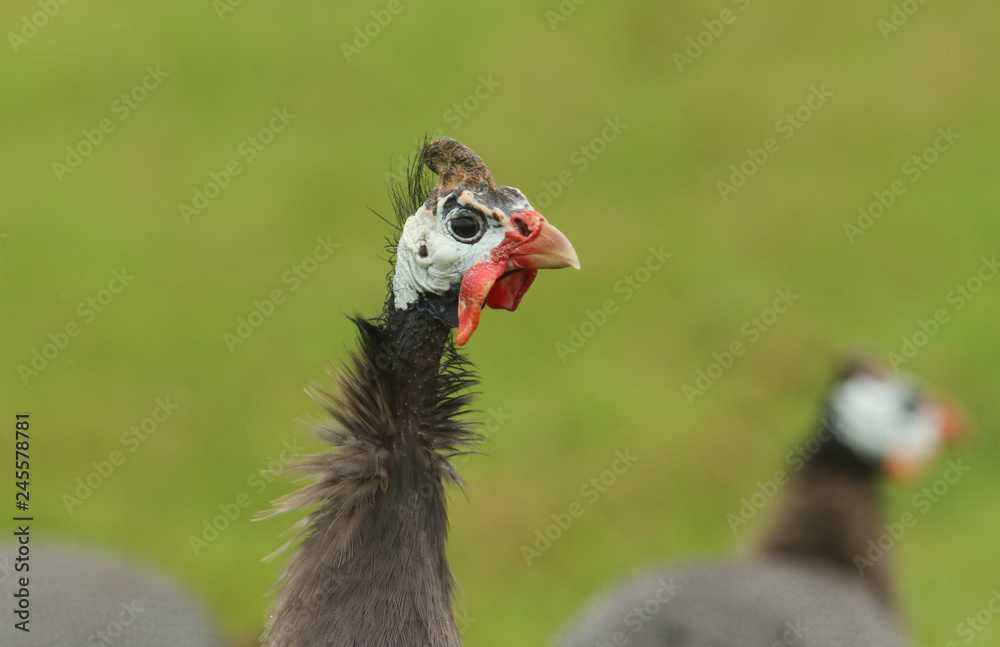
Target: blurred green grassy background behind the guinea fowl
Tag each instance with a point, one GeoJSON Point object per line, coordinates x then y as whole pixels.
{"type": "Point", "coordinates": [545, 89]}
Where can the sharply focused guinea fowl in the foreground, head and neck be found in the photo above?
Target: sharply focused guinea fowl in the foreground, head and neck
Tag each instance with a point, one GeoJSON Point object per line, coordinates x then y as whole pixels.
{"type": "Point", "coordinates": [371, 569]}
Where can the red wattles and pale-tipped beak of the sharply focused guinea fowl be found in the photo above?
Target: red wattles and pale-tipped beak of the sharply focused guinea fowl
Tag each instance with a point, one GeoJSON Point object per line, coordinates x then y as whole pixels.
{"type": "Point", "coordinates": [531, 244]}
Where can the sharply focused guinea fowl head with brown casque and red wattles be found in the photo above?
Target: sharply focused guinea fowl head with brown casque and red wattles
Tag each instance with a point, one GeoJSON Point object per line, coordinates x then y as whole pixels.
{"type": "Point", "coordinates": [472, 243]}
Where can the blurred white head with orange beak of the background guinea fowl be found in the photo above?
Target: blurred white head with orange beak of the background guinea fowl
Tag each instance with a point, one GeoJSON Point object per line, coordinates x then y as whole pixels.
{"type": "Point", "coordinates": [888, 421]}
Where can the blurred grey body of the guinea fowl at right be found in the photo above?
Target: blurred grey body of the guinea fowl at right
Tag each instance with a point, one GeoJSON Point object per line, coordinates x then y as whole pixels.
{"type": "Point", "coordinates": [766, 603]}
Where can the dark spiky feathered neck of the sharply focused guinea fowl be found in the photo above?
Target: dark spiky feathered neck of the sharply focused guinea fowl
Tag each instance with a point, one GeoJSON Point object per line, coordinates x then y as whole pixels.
{"type": "Point", "coordinates": [372, 569]}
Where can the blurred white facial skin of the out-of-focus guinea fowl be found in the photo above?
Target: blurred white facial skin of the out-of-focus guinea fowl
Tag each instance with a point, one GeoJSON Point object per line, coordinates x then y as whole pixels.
{"type": "Point", "coordinates": [883, 417]}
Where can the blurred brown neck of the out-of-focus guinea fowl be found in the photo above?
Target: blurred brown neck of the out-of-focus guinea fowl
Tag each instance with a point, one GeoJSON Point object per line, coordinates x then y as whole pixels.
{"type": "Point", "coordinates": [831, 509]}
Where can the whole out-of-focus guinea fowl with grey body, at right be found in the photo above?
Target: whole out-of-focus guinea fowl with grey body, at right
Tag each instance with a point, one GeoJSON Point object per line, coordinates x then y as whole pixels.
{"type": "Point", "coordinates": [814, 580]}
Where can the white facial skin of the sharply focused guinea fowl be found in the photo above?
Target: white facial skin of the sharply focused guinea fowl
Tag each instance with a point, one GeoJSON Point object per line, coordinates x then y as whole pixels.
{"type": "Point", "coordinates": [447, 255]}
